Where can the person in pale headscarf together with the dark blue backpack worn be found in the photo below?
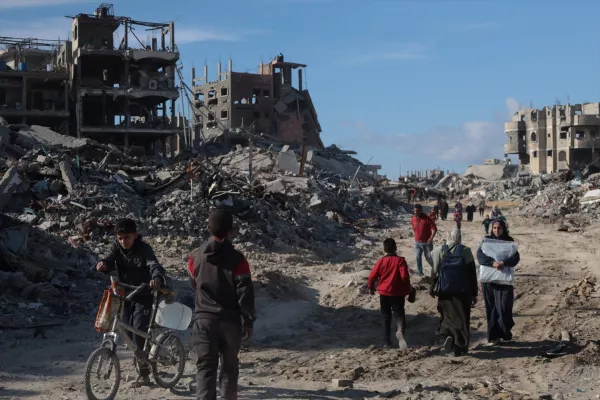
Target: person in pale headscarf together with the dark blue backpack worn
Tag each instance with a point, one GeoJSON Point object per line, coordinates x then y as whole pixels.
{"type": "Point", "coordinates": [455, 285]}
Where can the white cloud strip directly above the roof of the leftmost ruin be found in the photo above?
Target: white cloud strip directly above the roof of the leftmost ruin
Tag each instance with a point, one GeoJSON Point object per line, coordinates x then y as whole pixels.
{"type": "Point", "coordinates": [48, 28]}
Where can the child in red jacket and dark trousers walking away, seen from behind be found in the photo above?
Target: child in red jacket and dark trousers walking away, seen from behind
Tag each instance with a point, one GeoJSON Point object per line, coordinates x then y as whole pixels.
{"type": "Point", "coordinates": [391, 277]}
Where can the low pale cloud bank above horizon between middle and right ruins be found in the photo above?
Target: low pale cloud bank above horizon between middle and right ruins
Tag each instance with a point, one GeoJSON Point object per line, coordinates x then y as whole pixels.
{"type": "Point", "coordinates": [469, 143]}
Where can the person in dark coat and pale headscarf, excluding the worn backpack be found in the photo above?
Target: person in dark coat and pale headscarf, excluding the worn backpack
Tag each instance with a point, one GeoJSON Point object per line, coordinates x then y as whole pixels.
{"type": "Point", "coordinates": [455, 309]}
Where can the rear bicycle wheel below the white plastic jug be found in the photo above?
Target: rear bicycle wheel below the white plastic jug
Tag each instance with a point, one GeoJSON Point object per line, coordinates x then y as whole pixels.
{"type": "Point", "coordinates": [168, 360]}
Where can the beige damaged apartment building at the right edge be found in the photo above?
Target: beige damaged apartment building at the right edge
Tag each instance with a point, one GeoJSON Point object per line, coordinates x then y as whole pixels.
{"type": "Point", "coordinates": [556, 138]}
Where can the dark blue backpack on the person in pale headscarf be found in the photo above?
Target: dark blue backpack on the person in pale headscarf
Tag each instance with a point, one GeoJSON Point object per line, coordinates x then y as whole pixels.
{"type": "Point", "coordinates": [453, 277]}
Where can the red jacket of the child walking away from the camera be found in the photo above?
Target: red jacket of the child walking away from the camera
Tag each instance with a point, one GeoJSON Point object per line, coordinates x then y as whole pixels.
{"type": "Point", "coordinates": [392, 273]}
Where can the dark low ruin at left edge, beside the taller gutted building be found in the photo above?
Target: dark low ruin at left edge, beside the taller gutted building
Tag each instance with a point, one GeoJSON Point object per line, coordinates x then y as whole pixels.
{"type": "Point", "coordinates": [34, 86]}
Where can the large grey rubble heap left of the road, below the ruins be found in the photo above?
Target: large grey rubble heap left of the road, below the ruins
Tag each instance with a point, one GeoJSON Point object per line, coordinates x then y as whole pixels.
{"type": "Point", "coordinates": [73, 190]}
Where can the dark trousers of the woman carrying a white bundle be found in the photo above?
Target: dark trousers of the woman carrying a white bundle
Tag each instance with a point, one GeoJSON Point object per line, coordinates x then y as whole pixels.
{"type": "Point", "coordinates": [499, 301]}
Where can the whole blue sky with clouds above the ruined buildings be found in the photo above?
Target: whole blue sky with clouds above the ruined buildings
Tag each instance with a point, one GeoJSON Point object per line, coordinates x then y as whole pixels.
{"type": "Point", "coordinates": [408, 84]}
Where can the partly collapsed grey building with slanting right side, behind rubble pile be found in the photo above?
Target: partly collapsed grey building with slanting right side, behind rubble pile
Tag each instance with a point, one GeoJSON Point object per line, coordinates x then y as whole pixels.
{"type": "Point", "coordinates": [267, 102]}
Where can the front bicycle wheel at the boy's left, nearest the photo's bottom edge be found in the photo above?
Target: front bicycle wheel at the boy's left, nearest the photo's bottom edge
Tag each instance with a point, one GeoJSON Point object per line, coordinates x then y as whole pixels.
{"type": "Point", "coordinates": [102, 375]}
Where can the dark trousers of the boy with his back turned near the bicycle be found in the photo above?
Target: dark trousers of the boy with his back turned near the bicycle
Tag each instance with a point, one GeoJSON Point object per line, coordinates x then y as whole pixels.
{"type": "Point", "coordinates": [217, 341]}
